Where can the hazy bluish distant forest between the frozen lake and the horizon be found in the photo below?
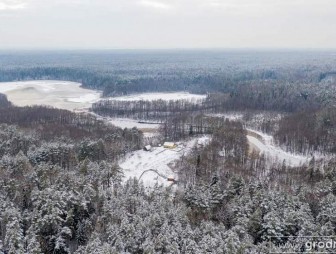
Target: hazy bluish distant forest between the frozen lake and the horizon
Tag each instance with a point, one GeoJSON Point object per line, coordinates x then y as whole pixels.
{"type": "Point", "coordinates": [124, 72]}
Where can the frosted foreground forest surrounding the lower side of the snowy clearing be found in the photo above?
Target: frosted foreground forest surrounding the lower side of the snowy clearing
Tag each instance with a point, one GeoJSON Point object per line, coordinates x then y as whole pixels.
{"type": "Point", "coordinates": [64, 195]}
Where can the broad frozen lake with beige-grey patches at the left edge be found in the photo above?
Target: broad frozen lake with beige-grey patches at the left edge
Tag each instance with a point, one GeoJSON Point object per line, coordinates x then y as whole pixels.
{"type": "Point", "coordinates": [59, 94]}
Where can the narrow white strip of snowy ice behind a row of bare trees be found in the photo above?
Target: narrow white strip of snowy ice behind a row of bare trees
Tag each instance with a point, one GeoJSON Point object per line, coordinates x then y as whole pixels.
{"type": "Point", "coordinates": [159, 96]}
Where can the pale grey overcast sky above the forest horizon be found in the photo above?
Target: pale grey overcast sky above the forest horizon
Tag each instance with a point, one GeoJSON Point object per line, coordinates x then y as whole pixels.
{"type": "Point", "coordinates": [109, 24]}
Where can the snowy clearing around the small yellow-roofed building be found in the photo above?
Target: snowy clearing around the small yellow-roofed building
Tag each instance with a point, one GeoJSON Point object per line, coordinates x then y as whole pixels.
{"type": "Point", "coordinates": [140, 163]}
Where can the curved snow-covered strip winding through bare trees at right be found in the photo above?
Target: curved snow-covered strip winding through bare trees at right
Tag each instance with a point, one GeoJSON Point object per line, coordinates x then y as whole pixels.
{"type": "Point", "coordinates": [273, 152]}
